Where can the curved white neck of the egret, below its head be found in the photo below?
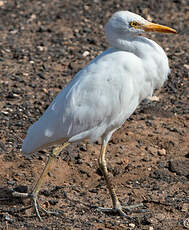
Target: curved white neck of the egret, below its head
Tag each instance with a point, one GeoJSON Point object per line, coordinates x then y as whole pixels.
{"type": "Point", "coordinates": [145, 49]}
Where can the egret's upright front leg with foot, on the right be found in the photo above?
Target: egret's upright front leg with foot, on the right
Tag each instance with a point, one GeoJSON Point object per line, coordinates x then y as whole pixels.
{"type": "Point", "coordinates": [116, 204]}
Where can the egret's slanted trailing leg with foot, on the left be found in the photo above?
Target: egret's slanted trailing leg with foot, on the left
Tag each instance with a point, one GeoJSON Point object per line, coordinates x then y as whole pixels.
{"type": "Point", "coordinates": [37, 187]}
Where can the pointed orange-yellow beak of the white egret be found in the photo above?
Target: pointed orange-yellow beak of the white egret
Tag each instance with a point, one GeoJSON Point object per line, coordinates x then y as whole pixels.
{"type": "Point", "coordinates": [152, 27]}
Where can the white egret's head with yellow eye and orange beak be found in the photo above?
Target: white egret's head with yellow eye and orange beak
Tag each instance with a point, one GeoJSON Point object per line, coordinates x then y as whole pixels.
{"type": "Point", "coordinates": [124, 22]}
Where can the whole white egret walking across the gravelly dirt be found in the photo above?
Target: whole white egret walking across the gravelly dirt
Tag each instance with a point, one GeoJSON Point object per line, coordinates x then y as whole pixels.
{"type": "Point", "coordinates": [103, 95]}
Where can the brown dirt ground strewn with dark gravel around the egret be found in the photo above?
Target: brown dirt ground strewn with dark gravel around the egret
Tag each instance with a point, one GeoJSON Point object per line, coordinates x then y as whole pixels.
{"type": "Point", "coordinates": [43, 43]}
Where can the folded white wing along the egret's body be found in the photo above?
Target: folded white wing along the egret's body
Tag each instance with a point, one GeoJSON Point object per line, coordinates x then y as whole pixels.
{"type": "Point", "coordinates": [99, 99]}
